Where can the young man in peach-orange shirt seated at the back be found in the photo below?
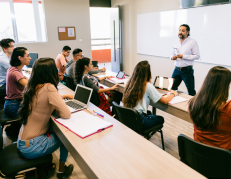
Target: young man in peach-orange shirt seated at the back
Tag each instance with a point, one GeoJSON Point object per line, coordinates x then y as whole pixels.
{"type": "Point", "coordinates": [61, 61]}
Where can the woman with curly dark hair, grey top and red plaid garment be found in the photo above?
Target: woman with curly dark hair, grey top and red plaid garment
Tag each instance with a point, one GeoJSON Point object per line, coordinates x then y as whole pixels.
{"type": "Point", "coordinates": [82, 68]}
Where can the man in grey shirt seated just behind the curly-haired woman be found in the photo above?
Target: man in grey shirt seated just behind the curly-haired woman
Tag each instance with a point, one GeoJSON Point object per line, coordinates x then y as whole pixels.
{"type": "Point", "coordinates": [77, 54]}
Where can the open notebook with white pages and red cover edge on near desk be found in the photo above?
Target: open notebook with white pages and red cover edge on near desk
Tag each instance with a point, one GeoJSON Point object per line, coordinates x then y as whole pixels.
{"type": "Point", "coordinates": [84, 124]}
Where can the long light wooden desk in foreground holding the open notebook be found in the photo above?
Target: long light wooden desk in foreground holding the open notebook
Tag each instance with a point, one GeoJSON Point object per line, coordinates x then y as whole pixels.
{"type": "Point", "coordinates": [118, 152]}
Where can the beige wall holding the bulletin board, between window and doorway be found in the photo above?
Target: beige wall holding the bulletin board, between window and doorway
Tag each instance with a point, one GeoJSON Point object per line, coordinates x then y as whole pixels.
{"type": "Point", "coordinates": [64, 13]}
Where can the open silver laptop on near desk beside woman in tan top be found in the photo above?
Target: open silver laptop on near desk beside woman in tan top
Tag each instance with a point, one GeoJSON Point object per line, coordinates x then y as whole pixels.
{"type": "Point", "coordinates": [81, 98]}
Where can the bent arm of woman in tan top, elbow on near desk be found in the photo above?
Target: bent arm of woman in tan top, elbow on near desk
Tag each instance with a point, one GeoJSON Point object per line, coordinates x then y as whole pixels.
{"type": "Point", "coordinates": [55, 99]}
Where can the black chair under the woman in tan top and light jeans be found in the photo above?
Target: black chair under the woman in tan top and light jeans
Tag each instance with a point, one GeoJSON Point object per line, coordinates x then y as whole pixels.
{"type": "Point", "coordinates": [12, 162]}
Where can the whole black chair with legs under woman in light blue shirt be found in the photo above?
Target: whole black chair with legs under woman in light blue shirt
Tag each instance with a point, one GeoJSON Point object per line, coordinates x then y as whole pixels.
{"type": "Point", "coordinates": [131, 118]}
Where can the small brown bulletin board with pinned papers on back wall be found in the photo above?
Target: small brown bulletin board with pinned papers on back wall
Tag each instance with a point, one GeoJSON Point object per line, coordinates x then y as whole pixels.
{"type": "Point", "coordinates": [66, 33]}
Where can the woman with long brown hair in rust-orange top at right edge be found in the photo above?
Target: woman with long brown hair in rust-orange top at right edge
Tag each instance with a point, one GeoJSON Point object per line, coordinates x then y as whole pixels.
{"type": "Point", "coordinates": [210, 111]}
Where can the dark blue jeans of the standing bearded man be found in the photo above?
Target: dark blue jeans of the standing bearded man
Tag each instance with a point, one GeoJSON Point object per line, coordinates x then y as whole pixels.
{"type": "Point", "coordinates": [185, 74]}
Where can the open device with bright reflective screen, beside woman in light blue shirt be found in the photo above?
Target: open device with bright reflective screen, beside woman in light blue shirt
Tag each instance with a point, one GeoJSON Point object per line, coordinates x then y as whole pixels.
{"type": "Point", "coordinates": [163, 84]}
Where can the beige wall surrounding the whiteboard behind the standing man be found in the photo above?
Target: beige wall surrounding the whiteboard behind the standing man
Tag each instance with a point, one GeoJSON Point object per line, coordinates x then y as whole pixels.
{"type": "Point", "coordinates": [160, 66]}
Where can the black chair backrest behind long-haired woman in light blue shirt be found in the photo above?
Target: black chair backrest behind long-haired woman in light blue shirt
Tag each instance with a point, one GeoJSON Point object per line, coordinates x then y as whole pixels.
{"type": "Point", "coordinates": [129, 117]}
